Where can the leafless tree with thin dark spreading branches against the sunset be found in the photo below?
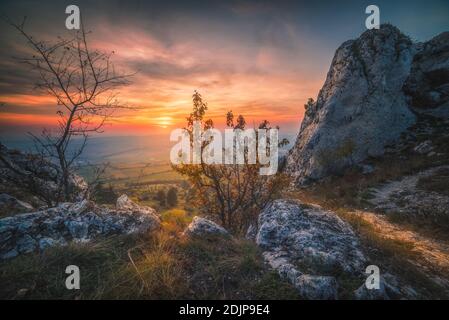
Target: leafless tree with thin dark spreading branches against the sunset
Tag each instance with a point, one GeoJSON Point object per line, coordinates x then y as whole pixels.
{"type": "Point", "coordinates": [84, 84]}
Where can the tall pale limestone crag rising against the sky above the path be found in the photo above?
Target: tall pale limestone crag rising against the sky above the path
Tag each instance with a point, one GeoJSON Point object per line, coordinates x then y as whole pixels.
{"type": "Point", "coordinates": [360, 109]}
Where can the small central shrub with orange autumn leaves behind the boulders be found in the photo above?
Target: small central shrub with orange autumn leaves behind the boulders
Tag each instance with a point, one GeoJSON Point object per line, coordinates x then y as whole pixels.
{"type": "Point", "coordinates": [232, 194]}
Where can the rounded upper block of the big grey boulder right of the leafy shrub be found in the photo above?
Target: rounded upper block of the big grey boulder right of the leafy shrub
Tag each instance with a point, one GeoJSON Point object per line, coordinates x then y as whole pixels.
{"type": "Point", "coordinates": [311, 235]}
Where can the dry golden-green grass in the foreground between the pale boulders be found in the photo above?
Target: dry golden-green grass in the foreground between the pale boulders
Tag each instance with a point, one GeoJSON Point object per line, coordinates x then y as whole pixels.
{"type": "Point", "coordinates": [163, 265]}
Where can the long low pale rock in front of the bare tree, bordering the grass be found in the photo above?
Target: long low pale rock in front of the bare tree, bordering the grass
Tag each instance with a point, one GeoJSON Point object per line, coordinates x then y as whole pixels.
{"type": "Point", "coordinates": [80, 222]}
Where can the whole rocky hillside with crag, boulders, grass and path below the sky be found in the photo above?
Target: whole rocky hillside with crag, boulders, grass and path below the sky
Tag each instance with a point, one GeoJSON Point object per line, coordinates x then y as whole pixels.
{"type": "Point", "coordinates": [370, 181]}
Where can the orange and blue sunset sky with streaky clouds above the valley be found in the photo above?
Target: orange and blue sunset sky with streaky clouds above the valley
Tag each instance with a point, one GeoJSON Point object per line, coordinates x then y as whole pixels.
{"type": "Point", "coordinates": [260, 59]}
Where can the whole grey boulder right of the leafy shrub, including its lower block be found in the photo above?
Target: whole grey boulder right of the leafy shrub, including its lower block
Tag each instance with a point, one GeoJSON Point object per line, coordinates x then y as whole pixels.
{"type": "Point", "coordinates": [305, 244]}
